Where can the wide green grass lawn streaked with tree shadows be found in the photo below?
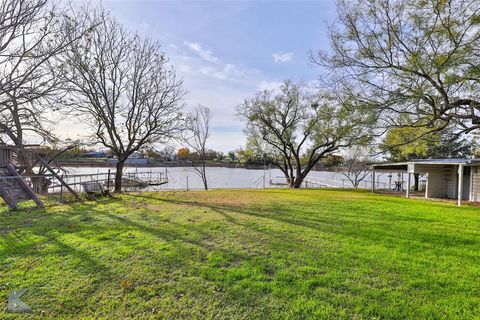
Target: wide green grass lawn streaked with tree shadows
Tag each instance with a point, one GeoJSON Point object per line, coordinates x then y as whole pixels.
{"type": "Point", "coordinates": [250, 254]}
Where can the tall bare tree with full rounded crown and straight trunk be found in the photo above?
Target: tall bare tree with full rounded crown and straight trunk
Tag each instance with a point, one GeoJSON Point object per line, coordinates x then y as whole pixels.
{"type": "Point", "coordinates": [123, 88]}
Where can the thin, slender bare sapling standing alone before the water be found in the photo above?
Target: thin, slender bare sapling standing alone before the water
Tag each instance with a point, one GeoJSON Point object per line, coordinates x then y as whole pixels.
{"type": "Point", "coordinates": [196, 138]}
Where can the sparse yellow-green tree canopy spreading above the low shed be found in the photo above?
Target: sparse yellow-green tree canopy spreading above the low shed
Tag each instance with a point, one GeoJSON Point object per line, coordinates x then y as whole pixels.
{"type": "Point", "coordinates": [409, 57]}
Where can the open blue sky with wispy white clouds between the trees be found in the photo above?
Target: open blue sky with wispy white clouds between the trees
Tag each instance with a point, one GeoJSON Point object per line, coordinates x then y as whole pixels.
{"type": "Point", "coordinates": [226, 51]}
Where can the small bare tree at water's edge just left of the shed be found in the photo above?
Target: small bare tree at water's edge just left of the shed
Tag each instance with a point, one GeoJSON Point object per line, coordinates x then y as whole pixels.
{"type": "Point", "coordinates": [356, 167]}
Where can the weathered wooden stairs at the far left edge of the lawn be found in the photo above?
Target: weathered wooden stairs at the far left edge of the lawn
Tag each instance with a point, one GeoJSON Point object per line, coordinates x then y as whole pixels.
{"type": "Point", "coordinates": [14, 188]}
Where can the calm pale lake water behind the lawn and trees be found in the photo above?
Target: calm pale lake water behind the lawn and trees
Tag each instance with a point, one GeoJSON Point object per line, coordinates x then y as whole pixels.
{"type": "Point", "coordinates": [181, 177]}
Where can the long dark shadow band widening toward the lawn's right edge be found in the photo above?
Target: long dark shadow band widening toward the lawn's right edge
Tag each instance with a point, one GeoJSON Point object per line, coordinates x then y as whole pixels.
{"type": "Point", "coordinates": [388, 230]}
